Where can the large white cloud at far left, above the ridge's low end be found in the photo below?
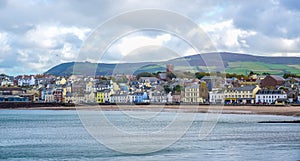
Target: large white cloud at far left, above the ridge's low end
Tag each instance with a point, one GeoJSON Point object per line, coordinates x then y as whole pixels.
{"type": "Point", "coordinates": [40, 48]}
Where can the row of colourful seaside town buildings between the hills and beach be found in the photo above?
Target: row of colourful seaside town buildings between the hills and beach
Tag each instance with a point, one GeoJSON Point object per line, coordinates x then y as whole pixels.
{"type": "Point", "coordinates": [126, 89]}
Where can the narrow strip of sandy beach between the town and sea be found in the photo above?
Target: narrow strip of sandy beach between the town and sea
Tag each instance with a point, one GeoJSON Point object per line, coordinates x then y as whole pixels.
{"type": "Point", "coordinates": [250, 110]}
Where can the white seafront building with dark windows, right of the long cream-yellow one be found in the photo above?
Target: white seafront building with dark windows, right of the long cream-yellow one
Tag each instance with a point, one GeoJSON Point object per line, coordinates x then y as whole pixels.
{"type": "Point", "coordinates": [269, 96]}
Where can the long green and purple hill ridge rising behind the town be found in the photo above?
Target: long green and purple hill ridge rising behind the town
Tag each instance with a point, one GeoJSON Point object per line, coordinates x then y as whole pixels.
{"type": "Point", "coordinates": [233, 63]}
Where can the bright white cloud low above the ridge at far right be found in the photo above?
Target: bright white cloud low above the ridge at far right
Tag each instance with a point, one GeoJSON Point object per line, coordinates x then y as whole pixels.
{"type": "Point", "coordinates": [227, 37]}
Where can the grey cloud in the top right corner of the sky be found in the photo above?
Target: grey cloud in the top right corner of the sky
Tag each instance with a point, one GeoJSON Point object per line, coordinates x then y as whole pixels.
{"type": "Point", "coordinates": [266, 17]}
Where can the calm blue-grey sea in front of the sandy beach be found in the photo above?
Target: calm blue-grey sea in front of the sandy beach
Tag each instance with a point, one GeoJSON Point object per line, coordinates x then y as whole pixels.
{"type": "Point", "coordinates": [64, 135]}
